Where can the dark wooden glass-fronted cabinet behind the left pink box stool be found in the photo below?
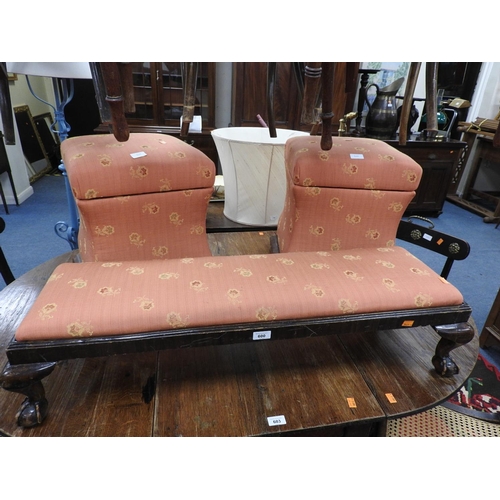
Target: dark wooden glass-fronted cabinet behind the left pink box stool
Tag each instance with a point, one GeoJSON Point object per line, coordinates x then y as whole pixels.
{"type": "Point", "coordinates": [159, 94]}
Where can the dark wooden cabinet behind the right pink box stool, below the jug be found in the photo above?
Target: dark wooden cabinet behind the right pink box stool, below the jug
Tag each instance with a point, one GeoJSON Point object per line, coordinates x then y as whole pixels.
{"type": "Point", "coordinates": [439, 161]}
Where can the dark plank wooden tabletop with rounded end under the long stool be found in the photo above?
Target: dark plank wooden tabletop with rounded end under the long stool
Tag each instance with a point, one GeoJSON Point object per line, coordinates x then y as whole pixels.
{"type": "Point", "coordinates": [345, 384]}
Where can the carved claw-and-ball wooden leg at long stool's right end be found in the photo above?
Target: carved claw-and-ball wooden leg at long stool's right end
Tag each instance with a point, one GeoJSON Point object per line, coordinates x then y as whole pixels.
{"type": "Point", "coordinates": [452, 336]}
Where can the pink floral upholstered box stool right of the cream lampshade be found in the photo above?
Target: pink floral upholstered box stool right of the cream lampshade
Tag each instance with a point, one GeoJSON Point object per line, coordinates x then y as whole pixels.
{"type": "Point", "coordinates": [352, 196]}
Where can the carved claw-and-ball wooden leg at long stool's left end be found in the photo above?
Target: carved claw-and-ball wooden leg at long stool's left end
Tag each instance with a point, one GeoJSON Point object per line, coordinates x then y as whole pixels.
{"type": "Point", "coordinates": [27, 380]}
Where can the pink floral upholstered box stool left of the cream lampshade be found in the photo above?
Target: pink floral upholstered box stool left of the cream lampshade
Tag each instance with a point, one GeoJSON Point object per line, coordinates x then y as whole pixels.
{"type": "Point", "coordinates": [141, 199]}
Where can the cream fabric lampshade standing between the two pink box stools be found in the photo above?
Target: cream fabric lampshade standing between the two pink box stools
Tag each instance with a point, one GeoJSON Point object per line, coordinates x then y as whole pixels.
{"type": "Point", "coordinates": [253, 167]}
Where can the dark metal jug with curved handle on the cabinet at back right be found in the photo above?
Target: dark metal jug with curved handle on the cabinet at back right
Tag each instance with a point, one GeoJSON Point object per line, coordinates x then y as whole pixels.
{"type": "Point", "coordinates": [382, 117]}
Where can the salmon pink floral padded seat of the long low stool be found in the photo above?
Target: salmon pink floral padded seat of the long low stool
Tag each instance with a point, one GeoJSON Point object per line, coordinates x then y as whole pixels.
{"type": "Point", "coordinates": [98, 299]}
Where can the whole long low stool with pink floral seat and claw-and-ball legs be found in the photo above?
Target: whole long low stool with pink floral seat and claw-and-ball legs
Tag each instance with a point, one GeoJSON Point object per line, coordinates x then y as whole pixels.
{"type": "Point", "coordinates": [100, 309]}
